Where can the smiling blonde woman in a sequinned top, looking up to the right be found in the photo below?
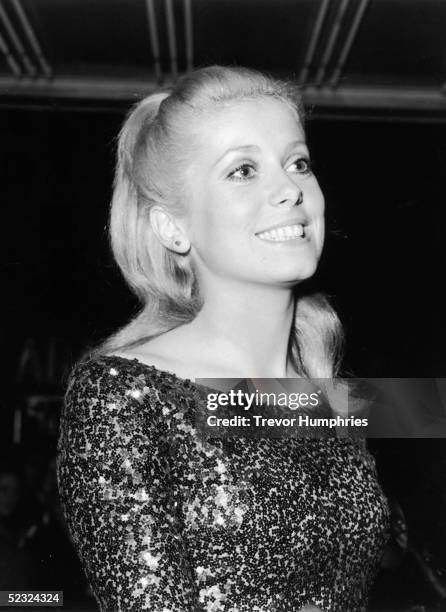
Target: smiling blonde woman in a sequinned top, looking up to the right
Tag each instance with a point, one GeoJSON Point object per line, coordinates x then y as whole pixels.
{"type": "Point", "coordinates": [216, 219]}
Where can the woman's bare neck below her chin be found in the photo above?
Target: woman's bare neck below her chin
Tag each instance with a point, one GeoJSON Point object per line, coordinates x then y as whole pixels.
{"type": "Point", "coordinates": [250, 330]}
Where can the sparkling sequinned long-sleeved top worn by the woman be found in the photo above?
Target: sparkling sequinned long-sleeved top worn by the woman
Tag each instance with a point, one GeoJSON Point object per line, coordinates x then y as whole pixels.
{"type": "Point", "coordinates": [166, 522]}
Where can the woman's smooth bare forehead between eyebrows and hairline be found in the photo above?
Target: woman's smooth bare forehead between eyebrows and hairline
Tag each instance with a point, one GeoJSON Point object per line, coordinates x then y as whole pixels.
{"type": "Point", "coordinates": [263, 122]}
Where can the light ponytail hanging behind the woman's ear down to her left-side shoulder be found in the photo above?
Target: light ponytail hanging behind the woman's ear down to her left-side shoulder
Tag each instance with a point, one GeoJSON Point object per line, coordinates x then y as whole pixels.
{"type": "Point", "coordinates": [163, 281]}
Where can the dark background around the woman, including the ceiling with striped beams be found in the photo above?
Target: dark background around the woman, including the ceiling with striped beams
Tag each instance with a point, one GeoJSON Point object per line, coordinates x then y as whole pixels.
{"type": "Point", "coordinates": [373, 75]}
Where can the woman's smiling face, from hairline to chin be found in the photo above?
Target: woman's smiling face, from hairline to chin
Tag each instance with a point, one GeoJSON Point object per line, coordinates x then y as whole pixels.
{"type": "Point", "coordinates": [250, 174]}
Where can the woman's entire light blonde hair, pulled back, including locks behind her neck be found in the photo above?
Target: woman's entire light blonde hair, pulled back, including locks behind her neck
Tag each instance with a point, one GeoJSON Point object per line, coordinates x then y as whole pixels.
{"type": "Point", "coordinates": [154, 144]}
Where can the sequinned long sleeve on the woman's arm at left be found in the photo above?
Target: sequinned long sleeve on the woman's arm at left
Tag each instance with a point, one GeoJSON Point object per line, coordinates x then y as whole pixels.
{"type": "Point", "coordinates": [114, 483]}
